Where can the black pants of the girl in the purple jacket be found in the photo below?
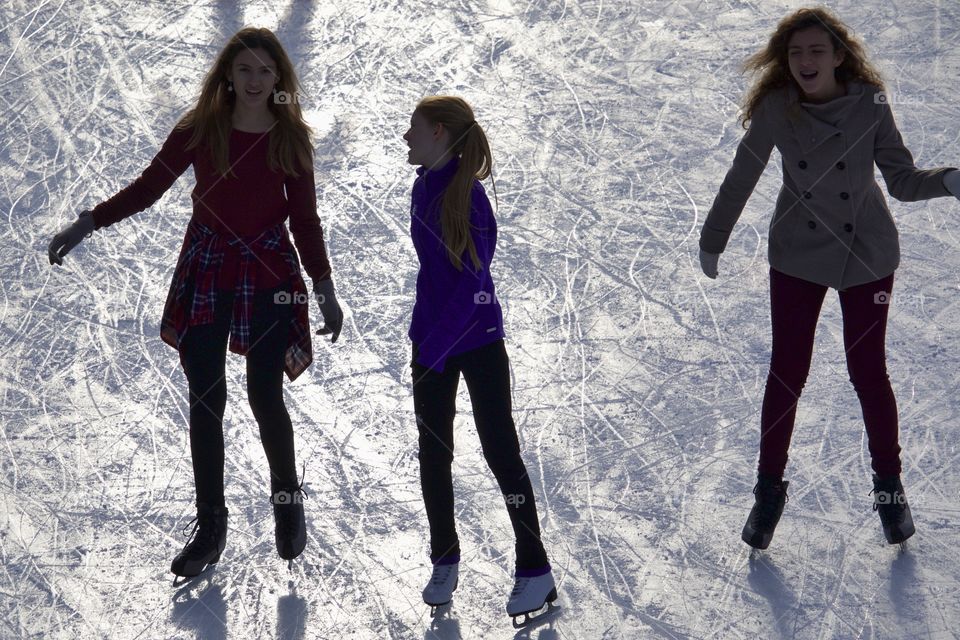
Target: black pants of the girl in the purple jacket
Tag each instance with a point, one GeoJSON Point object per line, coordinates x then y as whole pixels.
{"type": "Point", "coordinates": [487, 373]}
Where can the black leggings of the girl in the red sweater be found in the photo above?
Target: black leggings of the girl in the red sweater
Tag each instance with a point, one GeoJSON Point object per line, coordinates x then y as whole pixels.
{"type": "Point", "coordinates": [203, 353]}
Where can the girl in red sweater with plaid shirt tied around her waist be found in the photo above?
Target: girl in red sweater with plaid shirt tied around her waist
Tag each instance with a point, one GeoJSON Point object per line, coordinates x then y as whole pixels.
{"type": "Point", "coordinates": [238, 274]}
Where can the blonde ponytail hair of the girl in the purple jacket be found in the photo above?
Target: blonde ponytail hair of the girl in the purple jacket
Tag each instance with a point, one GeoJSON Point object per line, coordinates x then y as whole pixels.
{"type": "Point", "coordinates": [467, 140]}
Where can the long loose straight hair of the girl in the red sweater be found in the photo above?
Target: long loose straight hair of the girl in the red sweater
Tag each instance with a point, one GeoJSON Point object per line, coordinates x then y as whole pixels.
{"type": "Point", "coordinates": [289, 144]}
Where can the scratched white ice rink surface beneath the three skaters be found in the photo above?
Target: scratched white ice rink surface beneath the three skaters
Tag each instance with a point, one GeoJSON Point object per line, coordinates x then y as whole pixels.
{"type": "Point", "coordinates": [637, 380]}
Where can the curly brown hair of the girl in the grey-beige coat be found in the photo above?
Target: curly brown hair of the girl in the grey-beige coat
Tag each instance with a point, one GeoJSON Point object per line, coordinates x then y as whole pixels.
{"type": "Point", "coordinates": [772, 65]}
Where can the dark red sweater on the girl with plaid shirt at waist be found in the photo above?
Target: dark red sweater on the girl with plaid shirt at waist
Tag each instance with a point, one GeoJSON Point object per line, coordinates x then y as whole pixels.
{"type": "Point", "coordinates": [244, 205]}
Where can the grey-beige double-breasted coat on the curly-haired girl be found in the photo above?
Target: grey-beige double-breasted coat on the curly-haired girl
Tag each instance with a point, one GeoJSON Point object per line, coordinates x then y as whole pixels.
{"type": "Point", "coordinates": [831, 224]}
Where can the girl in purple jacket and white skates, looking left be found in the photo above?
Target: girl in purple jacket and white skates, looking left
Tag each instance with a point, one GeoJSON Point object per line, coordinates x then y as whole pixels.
{"type": "Point", "coordinates": [457, 327]}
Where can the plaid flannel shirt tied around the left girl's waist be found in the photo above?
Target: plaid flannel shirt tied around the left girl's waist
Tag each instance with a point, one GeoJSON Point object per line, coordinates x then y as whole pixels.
{"type": "Point", "coordinates": [201, 260]}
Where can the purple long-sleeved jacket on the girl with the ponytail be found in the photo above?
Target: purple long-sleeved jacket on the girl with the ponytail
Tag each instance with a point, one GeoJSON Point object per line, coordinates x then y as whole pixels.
{"type": "Point", "coordinates": [455, 311]}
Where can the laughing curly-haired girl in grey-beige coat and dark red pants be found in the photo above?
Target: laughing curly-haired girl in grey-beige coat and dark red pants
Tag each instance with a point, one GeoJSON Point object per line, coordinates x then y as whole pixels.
{"type": "Point", "coordinates": [823, 106]}
